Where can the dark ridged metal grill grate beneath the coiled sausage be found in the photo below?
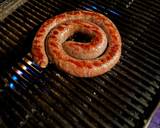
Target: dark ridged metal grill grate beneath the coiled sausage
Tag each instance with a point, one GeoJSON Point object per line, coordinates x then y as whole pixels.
{"type": "Point", "coordinates": [122, 98]}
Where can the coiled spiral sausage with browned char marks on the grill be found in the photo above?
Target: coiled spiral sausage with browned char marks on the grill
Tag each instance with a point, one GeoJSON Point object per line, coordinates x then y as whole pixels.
{"type": "Point", "coordinates": [79, 59]}
